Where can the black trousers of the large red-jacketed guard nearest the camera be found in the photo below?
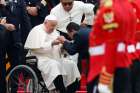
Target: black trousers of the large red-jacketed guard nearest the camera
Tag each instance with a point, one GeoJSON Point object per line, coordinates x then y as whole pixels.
{"type": "Point", "coordinates": [122, 81]}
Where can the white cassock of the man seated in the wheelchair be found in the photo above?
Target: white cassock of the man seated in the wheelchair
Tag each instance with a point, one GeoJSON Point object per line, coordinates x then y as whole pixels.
{"type": "Point", "coordinates": [50, 62]}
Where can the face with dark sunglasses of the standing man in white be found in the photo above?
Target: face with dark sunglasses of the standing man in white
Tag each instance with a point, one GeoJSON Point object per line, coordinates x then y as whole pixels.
{"type": "Point", "coordinates": [67, 4]}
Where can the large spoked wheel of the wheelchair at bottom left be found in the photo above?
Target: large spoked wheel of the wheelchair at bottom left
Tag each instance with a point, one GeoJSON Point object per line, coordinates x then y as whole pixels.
{"type": "Point", "coordinates": [23, 79]}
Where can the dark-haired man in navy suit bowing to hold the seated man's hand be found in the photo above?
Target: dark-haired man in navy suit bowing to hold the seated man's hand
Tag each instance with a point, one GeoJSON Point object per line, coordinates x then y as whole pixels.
{"type": "Point", "coordinates": [80, 44]}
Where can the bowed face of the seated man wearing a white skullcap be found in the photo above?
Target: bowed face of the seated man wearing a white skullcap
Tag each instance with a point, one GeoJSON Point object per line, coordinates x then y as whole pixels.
{"type": "Point", "coordinates": [50, 25]}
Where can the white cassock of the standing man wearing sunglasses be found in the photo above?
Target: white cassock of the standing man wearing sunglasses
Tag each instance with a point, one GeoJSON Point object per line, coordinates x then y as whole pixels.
{"type": "Point", "coordinates": [74, 15]}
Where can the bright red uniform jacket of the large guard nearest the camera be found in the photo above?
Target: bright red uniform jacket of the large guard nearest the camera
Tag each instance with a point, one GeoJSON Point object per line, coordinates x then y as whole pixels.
{"type": "Point", "coordinates": [114, 23]}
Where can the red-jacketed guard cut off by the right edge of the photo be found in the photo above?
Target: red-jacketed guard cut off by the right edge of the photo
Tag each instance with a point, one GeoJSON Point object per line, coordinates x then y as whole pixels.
{"type": "Point", "coordinates": [135, 68]}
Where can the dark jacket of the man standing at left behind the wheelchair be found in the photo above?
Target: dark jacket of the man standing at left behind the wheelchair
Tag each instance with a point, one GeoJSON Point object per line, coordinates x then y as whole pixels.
{"type": "Point", "coordinates": [19, 17]}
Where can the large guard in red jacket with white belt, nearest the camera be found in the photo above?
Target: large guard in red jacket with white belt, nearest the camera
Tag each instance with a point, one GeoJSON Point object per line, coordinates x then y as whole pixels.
{"type": "Point", "coordinates": [108, 46]}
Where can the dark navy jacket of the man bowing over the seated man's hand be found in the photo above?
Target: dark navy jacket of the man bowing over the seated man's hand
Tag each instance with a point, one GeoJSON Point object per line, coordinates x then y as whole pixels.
{"type": "Point", "coordinates": [80, 44]}
